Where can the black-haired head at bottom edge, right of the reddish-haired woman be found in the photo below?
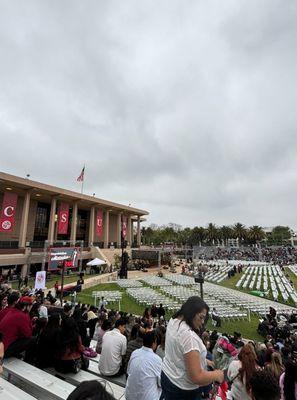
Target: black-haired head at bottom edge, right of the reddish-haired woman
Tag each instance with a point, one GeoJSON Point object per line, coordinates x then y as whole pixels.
{"type": "Point", "coordinates": [264, 385]}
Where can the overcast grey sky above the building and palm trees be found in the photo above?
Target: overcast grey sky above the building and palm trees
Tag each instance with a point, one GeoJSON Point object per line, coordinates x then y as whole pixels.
{"type": "Point", "coordinates": [185, 108]}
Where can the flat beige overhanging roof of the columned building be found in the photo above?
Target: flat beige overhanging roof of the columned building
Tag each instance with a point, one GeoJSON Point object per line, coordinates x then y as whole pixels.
{"type": "Point", "coordinates": [42, 190]}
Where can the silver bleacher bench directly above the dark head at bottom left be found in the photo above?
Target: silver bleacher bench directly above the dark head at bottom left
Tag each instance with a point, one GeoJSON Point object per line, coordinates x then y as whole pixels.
{"type": "Point", "coordinates": [75, 379]}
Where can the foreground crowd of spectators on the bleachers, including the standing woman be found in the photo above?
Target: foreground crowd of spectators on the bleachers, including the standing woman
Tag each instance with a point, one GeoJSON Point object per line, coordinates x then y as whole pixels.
{"type": "Point", "coordinates": [168, 360]}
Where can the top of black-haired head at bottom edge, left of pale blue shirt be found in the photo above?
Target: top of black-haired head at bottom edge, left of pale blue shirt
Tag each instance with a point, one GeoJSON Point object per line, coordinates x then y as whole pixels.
{"type": "Point", "coordinates": [90, 390]}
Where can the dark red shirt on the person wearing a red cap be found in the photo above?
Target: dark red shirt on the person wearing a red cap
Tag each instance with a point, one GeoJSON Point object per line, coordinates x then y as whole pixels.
{"type": "Point", "coordinates": [15, 325]}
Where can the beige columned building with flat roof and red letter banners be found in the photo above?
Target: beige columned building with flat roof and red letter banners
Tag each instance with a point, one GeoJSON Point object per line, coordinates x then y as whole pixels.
{"type": "Point", "coordinates": [36, 218]}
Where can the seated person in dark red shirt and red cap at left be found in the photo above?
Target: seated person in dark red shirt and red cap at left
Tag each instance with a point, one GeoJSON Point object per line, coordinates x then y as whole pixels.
{"type": "Point", "coordinates": [16, 328]}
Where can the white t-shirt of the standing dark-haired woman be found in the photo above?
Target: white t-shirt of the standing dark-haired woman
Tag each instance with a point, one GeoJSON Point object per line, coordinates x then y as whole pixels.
{"type": "Point", "coordinates": [180, 340]}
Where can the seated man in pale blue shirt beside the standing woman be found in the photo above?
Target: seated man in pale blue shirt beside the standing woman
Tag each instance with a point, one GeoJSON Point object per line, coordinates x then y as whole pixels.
{"type": "Point", "coordinates": [144, 371]}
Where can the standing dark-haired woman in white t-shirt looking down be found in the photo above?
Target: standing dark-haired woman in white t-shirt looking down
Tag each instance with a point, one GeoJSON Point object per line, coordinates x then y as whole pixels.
{"type": "Point", "coordinates": [184, 364]}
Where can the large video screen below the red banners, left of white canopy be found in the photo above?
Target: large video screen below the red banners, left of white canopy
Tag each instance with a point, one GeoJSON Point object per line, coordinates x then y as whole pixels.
{"type": "Point", "coordinates": [67, 255]}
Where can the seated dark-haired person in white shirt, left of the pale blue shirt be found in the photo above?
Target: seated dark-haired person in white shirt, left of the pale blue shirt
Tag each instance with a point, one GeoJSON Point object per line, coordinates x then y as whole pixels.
{"type": "Point", "coordinates": [114, 347]}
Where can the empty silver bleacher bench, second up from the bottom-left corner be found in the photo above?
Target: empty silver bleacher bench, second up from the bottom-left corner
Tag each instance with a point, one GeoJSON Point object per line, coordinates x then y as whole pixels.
{"type": "Point", "coordinates": [35, 381]}
